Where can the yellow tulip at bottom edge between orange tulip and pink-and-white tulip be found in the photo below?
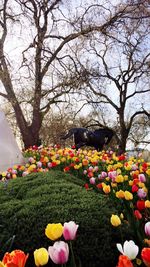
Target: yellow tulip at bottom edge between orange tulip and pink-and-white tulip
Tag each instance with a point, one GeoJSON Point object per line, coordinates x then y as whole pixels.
{"type": "Point", "coordinates": [41, 256]}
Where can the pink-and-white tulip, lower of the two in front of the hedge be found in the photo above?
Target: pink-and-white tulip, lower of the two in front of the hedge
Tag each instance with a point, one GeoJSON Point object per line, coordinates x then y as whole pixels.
{"type": "Point", "coordinates": [59, 252]}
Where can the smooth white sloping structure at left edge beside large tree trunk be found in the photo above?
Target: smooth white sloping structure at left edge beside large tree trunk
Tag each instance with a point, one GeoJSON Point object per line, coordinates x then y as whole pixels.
{"type": "Point", "coordinates": [10, 153]}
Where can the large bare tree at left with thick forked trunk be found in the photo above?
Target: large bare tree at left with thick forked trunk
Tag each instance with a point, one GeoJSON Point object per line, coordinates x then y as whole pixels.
{"type": "Point", "coordinates": [42, 78]}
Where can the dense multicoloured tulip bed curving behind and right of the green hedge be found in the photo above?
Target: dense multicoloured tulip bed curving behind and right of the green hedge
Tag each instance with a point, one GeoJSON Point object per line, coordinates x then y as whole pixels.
{"type": "Point", "coordinates": [126, 181]}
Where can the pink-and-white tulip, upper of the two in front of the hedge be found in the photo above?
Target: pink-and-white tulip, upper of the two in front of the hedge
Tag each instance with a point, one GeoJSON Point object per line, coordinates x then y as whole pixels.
{"type": "Point", "coordinates": [70, 230]}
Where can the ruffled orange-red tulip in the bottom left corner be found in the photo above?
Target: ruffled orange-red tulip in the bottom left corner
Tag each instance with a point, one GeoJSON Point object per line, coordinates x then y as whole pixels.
{"type": "Point", "coordinates": [17, 258]}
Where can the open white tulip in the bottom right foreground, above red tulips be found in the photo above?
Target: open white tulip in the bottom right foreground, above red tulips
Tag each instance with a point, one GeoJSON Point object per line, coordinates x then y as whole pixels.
{"type": "Point", "coordinates": [128, 249]}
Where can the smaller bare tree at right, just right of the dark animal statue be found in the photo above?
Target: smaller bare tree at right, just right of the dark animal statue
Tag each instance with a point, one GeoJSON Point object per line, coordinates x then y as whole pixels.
{"type": "Point", "coordinates": [116, 72]}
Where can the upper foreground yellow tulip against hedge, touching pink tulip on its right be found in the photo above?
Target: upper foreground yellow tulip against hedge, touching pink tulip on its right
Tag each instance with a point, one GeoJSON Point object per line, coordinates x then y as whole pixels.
{"type": "Point", "coordinates": [54, 231]}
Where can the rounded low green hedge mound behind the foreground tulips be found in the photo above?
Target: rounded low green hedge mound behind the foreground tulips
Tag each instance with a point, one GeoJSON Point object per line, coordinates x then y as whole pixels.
{"type": "Point", "coordinates": [29, 203]}
